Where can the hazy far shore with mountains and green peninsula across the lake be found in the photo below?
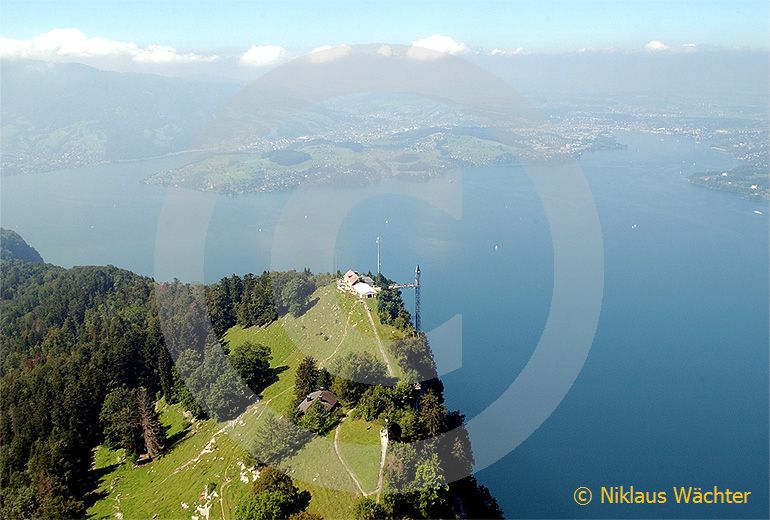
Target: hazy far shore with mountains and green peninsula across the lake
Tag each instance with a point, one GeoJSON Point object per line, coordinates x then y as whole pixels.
{"type": "Point", "coordinates": [346, 115]}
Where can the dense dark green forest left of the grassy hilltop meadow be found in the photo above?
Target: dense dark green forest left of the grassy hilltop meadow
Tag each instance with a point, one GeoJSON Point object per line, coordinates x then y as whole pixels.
{"type": "Point", "coordinates": [77, 341]}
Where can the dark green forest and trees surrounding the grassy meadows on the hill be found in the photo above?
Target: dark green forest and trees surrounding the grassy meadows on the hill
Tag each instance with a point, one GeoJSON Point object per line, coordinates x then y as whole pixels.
{"type": "Point", "coordinates": [87, 351]}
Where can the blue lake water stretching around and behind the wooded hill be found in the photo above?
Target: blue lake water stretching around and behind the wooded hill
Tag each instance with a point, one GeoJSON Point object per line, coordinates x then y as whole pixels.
{"type": "Point", "coordinates": [675, 387]}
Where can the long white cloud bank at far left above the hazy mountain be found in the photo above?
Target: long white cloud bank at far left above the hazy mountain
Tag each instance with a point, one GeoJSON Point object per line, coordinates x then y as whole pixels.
{"type": "Point", "coordinates": [72, 44]}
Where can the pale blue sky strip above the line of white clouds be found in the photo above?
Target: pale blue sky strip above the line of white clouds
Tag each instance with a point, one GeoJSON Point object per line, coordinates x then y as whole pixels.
{"type": "Point", "coordinates": [299, 26]}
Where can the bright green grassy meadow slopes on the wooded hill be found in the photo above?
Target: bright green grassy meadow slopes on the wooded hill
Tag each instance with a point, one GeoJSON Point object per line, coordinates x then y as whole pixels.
{"type": "Point", "coordinates": [206, 452]}
